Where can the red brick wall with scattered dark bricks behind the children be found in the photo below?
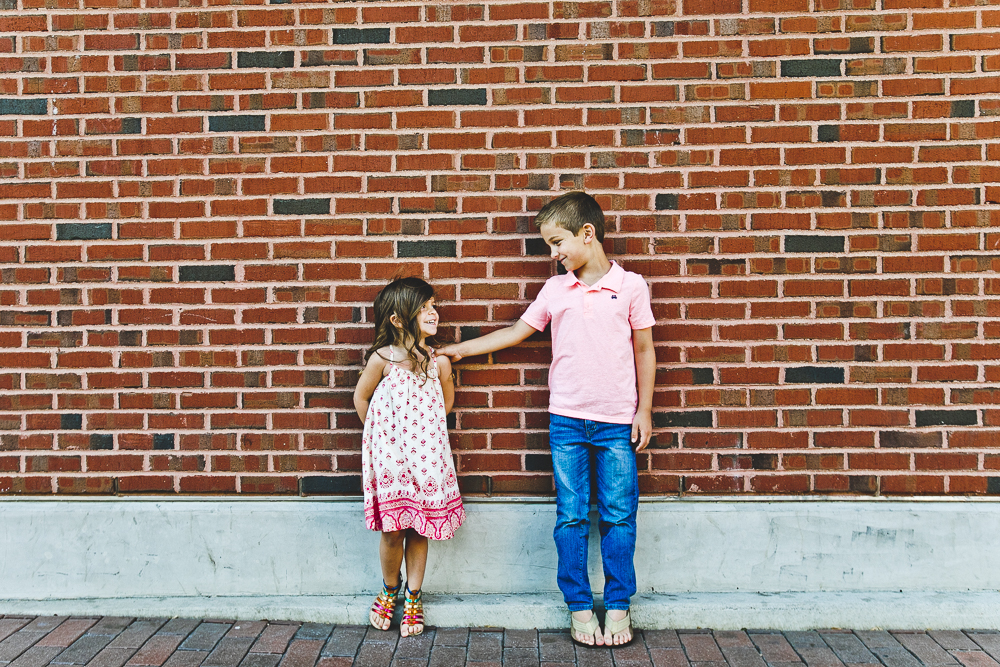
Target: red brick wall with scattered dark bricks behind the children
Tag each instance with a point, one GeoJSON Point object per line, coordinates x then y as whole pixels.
{"type": "Point", "coordinates": [199, 201]}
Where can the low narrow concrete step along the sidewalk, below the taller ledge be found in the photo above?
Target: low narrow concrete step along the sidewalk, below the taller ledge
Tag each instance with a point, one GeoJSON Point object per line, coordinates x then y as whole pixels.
{"type": "Point", "coordinates": [719, 611]}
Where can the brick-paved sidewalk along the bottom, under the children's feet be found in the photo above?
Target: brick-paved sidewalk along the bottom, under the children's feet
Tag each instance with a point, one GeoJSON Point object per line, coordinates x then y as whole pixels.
{"type": "Point", "coordinates": [128, 642]}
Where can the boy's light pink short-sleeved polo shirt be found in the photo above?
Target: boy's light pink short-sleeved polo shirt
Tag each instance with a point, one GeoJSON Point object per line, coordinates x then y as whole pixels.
{"type": "Point", "coordinates": [593, 364]}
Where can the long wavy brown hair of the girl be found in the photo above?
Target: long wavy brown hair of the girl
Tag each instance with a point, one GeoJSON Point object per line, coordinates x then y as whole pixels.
{"type": "Point", "coordinates": [403, 298]}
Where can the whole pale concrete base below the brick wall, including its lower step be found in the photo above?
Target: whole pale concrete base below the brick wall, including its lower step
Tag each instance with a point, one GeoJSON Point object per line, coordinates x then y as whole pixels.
{"type": "Point", "coordinates": [720, 563]}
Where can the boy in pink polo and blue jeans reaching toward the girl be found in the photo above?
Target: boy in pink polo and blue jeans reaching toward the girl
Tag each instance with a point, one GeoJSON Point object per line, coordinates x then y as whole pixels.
{"type": "Point", "coordinates": [602, 349]}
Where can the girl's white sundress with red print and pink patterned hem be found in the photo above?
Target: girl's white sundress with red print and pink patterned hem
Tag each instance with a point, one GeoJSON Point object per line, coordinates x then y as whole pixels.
{"type": "Point", "coordinates": [409, 477]}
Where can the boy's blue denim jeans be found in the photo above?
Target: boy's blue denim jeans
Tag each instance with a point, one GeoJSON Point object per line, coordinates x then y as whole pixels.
{"type": "Point", "coordinates": [578, 446]}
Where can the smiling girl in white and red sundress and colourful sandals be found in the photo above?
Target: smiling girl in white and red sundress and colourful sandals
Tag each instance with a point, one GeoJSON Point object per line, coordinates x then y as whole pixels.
{"type": "Point", "coordinates": [411, 493]}
